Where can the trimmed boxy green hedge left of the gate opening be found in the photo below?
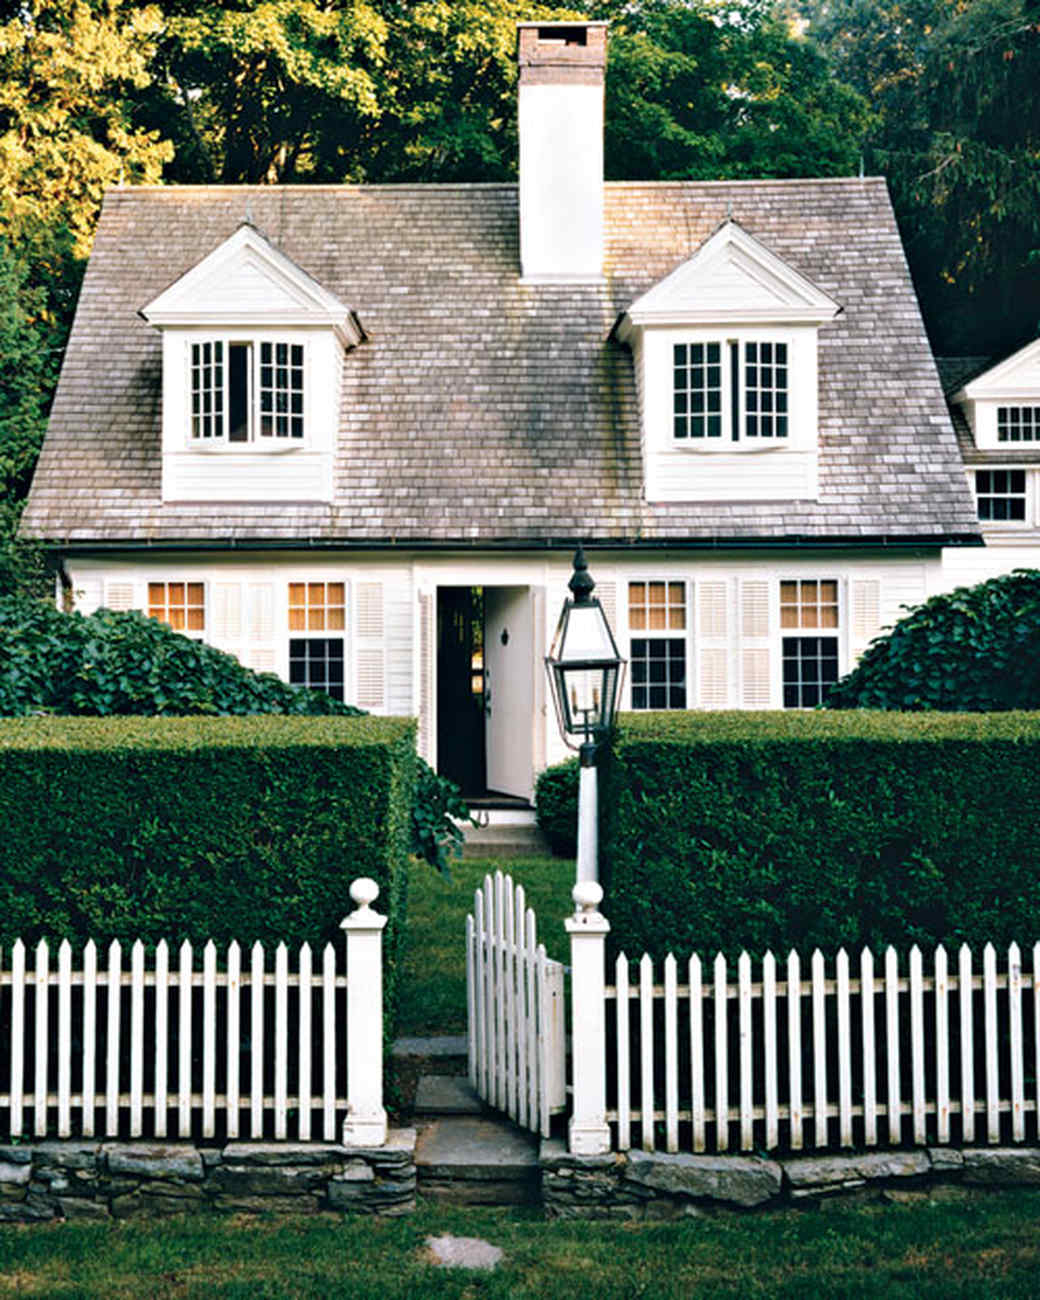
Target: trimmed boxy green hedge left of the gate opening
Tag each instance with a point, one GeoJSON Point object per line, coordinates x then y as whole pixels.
{"type": "Point", "coordinates": [202, 827]}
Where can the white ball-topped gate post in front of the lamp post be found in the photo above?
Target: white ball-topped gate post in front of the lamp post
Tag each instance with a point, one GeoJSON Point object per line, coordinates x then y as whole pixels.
{"type": "Point", "coordinates": [588, 1133]}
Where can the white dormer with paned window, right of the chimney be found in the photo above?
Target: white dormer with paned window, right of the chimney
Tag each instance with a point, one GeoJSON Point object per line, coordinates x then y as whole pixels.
{"type": "Point", "coordinates": [726, 366]}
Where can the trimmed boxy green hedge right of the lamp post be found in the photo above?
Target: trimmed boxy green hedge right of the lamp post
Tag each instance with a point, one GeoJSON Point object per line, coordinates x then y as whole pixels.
{"type": "Point", "coordinates": [769, 831]}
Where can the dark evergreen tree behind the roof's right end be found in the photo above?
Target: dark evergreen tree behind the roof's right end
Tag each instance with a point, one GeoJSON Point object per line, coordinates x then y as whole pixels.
{"type": "Point", "coordinates": [957, 132]}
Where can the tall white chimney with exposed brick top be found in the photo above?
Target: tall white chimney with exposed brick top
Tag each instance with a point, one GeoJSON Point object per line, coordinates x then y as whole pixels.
{"type": "Point", "coordinates": [561, 122]}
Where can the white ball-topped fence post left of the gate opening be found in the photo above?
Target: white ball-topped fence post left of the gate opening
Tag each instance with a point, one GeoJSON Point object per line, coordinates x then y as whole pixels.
{"type": "Point", "coordinates": [366, 1123]}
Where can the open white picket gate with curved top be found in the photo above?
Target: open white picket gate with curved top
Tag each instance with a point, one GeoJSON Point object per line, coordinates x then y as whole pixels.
{"type": "Point", "coordinates": [515, 1009]}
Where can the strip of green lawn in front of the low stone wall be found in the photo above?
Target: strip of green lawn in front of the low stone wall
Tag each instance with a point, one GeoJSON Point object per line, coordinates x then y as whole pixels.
{"type": "Point", "coordinates": [981, 1250]}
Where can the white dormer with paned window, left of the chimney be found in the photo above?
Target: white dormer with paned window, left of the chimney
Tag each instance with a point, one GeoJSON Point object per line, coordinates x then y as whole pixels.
{"type": "Point", "coordinates": [253, 352]}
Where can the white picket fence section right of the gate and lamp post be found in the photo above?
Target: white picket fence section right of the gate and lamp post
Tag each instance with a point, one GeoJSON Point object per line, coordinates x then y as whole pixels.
{"type": "Point", "coordinates": [800, 1060]}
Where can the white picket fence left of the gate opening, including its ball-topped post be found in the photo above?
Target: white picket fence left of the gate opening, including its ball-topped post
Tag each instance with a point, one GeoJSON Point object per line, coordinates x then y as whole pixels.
{"type": "Point", "coordinates": [163, 1048]}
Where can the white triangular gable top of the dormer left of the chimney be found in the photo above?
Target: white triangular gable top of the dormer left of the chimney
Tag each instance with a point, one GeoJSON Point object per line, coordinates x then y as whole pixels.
{"type": "Point", "coordinates": [248, 281]}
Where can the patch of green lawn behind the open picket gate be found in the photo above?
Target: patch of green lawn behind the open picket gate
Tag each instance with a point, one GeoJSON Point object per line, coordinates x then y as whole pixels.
{"type": "Point", "coordinates": [434, 983]}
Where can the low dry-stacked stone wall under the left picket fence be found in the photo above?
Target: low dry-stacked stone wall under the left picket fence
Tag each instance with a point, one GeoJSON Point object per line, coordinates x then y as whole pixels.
{"type": "Point", "coordinates": [109, 1180]}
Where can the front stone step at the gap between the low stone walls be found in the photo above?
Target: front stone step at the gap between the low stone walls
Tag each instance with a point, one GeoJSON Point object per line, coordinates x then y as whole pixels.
{"type": "Point", "coordinates": [463, 1160]}
